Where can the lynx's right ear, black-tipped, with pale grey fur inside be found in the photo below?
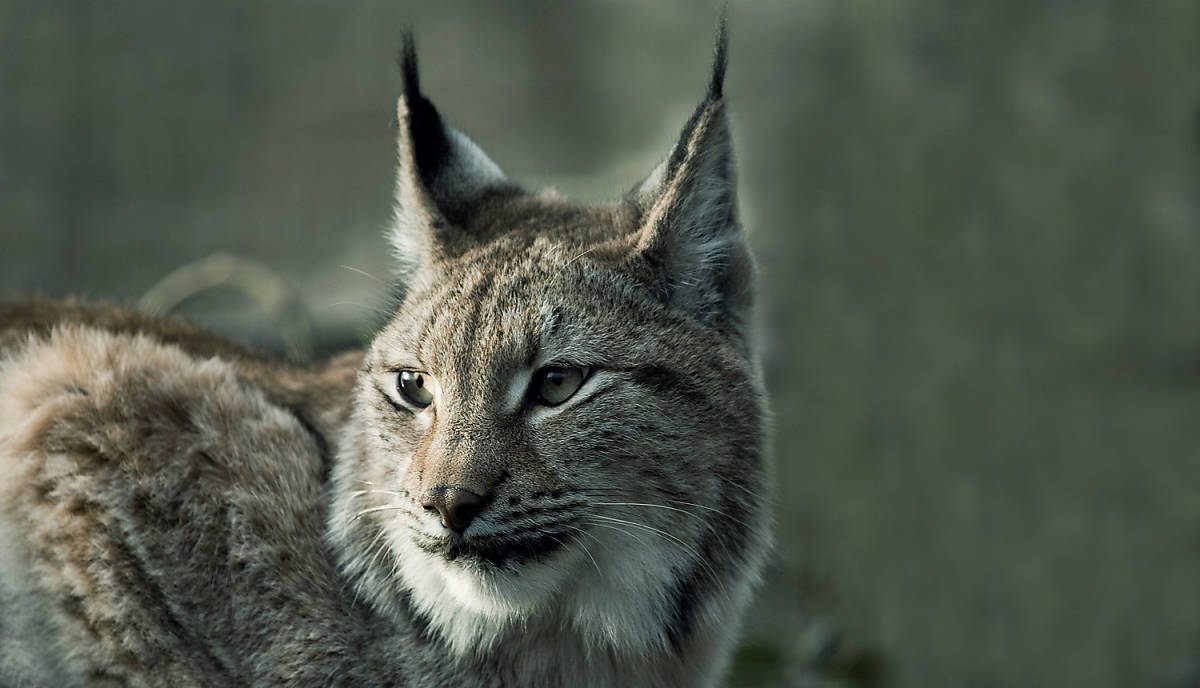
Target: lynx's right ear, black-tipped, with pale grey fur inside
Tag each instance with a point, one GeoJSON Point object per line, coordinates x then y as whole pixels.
{"type": "Point", "coordinates": [689, 234]}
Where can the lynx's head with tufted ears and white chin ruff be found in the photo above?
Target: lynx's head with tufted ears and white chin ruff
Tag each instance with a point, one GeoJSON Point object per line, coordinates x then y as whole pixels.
{"type": "Point", "coordinates": [562, 424]}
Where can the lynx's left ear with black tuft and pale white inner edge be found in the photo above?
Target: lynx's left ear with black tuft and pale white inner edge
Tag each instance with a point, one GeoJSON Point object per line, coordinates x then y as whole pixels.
{"type": "Point", "coordinates": [442, 175]}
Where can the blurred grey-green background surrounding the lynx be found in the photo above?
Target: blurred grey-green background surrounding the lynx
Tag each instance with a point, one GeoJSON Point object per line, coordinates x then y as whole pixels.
{"type": "Point", "coordinates": [979, 228]}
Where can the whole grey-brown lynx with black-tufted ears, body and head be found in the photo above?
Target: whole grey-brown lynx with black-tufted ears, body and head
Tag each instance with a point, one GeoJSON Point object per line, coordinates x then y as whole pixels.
{"type": "Point", "coordinates": [547, 470]}
